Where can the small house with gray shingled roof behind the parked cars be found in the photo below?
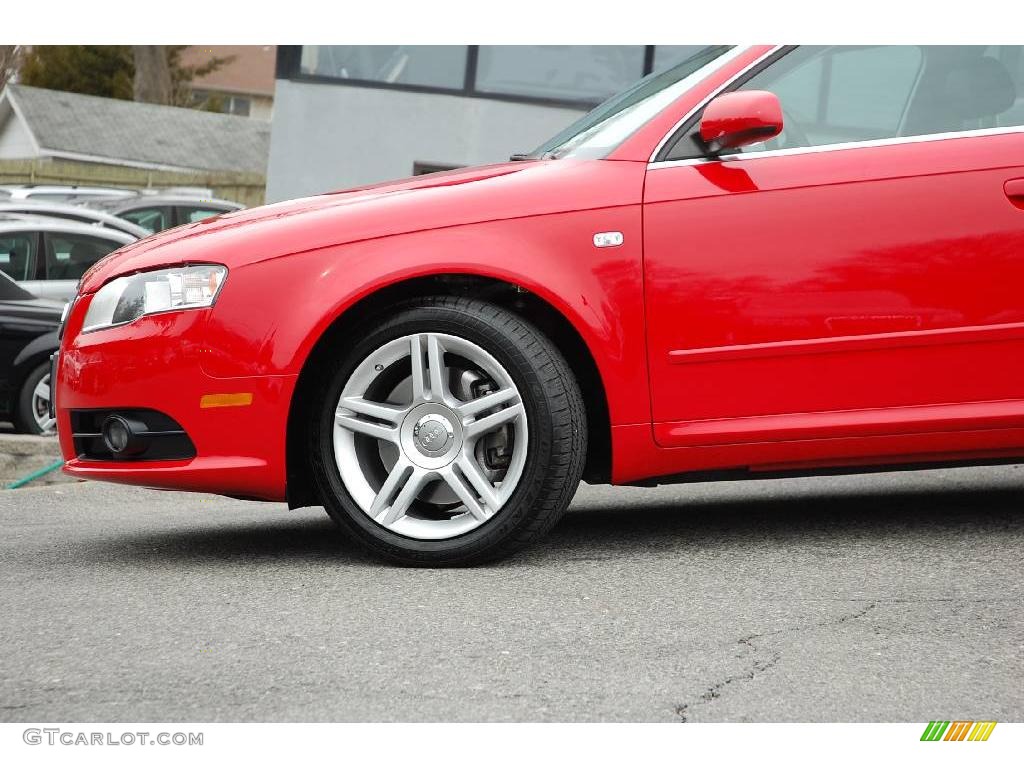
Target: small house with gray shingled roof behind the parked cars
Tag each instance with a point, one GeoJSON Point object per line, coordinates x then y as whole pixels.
{"type": "Point", "coordinates": [36, 123]}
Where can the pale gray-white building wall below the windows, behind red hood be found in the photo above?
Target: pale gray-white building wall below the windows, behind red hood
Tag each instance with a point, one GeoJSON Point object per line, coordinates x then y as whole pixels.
{"type": "Point", "coordinates": [327, 138]}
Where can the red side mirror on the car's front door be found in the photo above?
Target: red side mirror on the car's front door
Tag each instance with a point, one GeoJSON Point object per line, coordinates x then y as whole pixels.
{"type": "Point", "coordinates": [741, 119]}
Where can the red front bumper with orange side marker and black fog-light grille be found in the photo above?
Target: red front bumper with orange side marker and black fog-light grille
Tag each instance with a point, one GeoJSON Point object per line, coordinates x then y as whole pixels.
{"type": "Point", "coordinates": [157, 363]}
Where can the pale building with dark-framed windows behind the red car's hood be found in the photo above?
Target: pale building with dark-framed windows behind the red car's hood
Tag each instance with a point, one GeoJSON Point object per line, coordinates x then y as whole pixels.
{"type": "Point", "coordinates": [351, 115]}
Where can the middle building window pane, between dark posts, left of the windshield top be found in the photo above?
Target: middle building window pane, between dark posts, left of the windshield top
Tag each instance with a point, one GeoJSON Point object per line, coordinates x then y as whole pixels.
{"type": "Point", "coordinates": [582, 73]}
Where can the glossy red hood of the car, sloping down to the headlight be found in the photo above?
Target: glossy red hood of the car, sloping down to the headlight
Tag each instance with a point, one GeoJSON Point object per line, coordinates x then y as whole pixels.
{"type": "Point", "coordinates": [440, 200]}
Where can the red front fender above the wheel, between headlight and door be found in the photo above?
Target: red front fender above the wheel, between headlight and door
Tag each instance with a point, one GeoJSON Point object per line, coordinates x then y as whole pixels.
{"type": "Point", "coordinates": [270, 316]}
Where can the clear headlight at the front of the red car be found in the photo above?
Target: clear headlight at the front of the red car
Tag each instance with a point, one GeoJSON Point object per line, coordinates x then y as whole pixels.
{"type": "Point", "coordinates": [129, 298]}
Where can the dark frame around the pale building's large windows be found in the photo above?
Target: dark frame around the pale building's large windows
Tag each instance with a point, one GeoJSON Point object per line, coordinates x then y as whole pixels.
{"type": "Point", "coordinates": [289, 67]}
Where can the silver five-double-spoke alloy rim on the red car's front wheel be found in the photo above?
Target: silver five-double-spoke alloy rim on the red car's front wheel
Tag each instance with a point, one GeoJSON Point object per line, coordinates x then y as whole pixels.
{"type": "Point", "coordinates": [431, 436]}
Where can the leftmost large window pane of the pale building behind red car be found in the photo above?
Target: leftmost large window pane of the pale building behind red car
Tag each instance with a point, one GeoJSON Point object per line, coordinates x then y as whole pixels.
{"type": "Point", "coordinates": [432, 66]}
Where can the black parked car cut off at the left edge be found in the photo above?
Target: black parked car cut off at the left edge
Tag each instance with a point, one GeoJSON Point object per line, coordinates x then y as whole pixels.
{"type": "Point", "coordinates": [28, 337]}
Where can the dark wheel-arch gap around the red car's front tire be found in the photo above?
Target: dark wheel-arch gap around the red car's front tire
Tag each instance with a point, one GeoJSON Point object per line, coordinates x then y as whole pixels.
{"type": "Point", "coordinates": [553, 323]}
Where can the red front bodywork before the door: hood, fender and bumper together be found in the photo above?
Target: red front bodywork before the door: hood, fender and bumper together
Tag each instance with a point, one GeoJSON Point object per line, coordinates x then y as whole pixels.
{"type": "Point", "coordinates": [293, 273]}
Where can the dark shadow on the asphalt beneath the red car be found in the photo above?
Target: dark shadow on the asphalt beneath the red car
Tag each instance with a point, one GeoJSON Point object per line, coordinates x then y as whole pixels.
{"type": "Point", "coordinates": [626, 530]}
